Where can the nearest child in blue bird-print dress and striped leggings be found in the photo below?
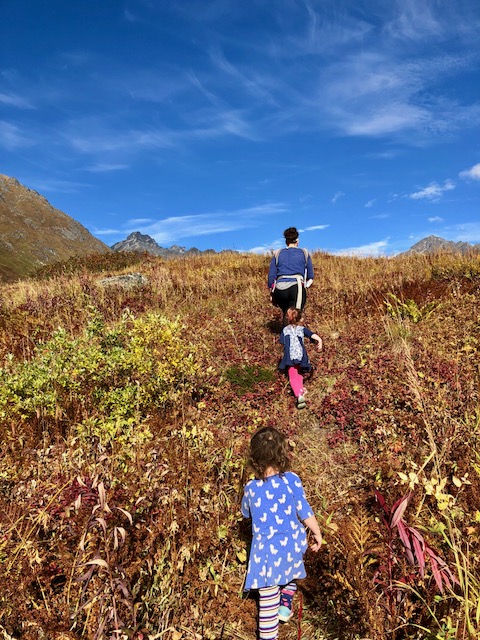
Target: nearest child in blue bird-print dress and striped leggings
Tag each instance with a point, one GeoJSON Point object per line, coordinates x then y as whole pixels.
{"type": "Point", "coordinates": [276, 503]}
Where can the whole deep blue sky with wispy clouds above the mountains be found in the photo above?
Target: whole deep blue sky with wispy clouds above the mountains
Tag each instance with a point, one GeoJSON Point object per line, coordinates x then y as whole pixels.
{"type": "Point", "coordinates": [217, 124]}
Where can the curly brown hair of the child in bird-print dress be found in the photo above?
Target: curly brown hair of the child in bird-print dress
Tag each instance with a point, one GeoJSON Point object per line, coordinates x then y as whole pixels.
{"type": "Point", "coordinates": [269, 448]}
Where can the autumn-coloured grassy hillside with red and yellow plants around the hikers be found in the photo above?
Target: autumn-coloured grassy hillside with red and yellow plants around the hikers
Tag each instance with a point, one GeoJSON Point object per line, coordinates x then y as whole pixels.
{"type": "Point", "coordinates": [125, 417]}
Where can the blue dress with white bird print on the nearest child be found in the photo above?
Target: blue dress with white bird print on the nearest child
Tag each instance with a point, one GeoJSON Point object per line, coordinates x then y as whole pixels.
{"type": "Point", "coordinates": [279, 540]}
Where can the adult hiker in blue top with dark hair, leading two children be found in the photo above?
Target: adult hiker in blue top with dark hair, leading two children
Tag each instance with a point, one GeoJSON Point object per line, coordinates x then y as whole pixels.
{"type": "Point", "coordinates": [290, 274]}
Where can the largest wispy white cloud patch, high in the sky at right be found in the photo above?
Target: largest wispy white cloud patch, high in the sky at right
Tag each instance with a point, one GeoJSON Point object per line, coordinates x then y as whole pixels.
{"type": "Point", "coordinates": [375, 95]}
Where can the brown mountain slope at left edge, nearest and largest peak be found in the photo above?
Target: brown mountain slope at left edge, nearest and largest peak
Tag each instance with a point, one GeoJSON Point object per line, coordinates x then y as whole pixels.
{"type": "Point", "coordinates": [33, 233]}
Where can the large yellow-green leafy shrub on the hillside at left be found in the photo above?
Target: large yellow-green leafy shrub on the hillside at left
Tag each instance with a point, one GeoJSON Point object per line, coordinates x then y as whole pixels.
{"type": "Point", "coordinates": [115, 374]}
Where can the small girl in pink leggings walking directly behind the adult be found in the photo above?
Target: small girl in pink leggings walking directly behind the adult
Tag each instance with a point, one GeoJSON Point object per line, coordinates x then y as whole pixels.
{"type": "Point", "coordinates": [295, 358]}
